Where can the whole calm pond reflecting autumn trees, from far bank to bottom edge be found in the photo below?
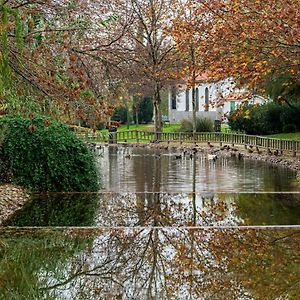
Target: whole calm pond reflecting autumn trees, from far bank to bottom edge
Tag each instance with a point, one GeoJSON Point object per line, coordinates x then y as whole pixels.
{"type": "Point", "coordinates": [165, 225]}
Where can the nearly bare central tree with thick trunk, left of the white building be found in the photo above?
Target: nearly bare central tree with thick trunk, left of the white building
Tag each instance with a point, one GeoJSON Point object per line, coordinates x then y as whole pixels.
{"type": "Point", "coordinates": [145, 54]}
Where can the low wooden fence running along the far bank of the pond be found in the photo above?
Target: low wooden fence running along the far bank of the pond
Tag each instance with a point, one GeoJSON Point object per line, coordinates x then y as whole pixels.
{"type": "Point", "coordinates": [199, 137]}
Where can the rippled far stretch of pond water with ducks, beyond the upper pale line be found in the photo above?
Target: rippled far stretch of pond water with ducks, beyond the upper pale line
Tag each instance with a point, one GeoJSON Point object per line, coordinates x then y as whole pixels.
{"type": "Point", "coordinates": [150, 170]}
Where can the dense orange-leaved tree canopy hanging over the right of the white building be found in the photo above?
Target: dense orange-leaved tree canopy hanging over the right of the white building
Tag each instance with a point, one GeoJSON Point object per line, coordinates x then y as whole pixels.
{"type": "Point", "coordinates": [255, 42]}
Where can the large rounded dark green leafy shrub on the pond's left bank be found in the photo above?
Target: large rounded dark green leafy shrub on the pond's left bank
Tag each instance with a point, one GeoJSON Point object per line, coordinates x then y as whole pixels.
{"type": "Point", "coordinates": [45, 155]}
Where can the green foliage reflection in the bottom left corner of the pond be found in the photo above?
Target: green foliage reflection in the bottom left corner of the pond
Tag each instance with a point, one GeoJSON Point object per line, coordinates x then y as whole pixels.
{"type": "Point", "coordinates": [24, 256]}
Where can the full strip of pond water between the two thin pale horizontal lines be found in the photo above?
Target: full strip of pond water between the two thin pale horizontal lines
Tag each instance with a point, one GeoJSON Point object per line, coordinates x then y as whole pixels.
{"type": "Point", "coordinates": [159, 209]}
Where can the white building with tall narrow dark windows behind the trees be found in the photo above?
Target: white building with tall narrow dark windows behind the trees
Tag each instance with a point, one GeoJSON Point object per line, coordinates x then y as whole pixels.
{"type": "Point", "coordinates": [214, 99]}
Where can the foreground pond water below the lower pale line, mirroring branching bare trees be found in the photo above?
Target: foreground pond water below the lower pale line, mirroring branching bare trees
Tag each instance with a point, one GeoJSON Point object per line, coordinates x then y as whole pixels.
{"type": "Point", "coordinates": [150, 264]}
